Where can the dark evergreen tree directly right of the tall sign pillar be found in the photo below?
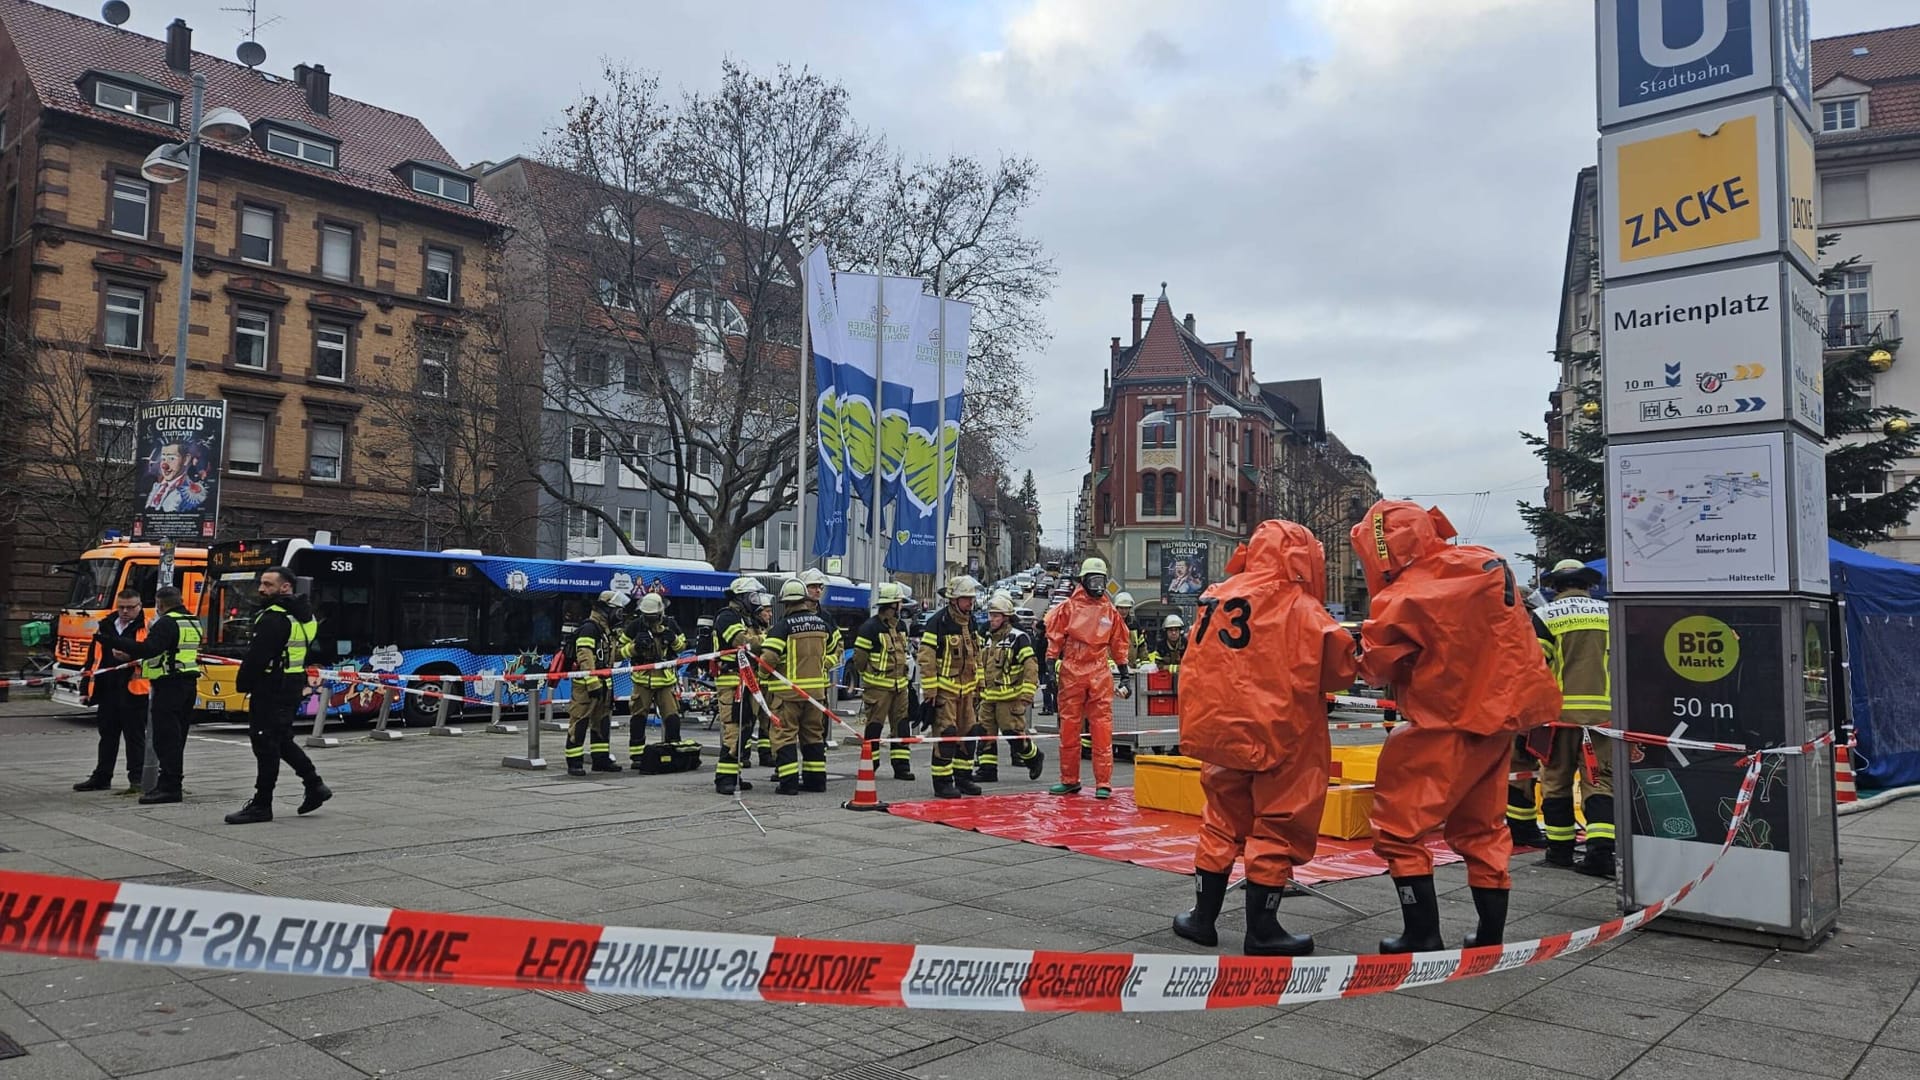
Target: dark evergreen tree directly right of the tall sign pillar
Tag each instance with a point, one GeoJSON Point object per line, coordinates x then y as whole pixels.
{"type": "Point", "coordinates": [1863, 445]}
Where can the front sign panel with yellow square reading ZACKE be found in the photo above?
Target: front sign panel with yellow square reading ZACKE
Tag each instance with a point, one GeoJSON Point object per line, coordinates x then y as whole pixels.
{"type": "Point", "coordinates": [1691, 191]}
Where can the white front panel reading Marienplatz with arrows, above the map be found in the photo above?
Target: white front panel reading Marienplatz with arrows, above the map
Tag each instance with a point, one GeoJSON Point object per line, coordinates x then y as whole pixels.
{"type": "Point", "coordinates": [1696, 351]}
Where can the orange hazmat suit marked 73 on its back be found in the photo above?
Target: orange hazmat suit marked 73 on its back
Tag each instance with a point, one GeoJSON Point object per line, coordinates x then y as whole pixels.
{"type": "Point", "coordinates": [1253, 710]}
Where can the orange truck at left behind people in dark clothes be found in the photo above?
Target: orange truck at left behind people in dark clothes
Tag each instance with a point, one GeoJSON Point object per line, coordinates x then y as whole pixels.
{"type": "Point", "coordinates": [99, 576]}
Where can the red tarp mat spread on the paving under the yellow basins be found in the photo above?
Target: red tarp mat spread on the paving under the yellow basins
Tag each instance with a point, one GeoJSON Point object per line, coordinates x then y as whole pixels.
{"type": "Point", "coordinates": [1124, 833]}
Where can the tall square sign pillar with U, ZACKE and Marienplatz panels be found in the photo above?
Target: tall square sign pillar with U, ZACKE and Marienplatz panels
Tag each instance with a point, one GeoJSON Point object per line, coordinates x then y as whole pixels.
{"type": "Point", "coordinates": [1716, 472]}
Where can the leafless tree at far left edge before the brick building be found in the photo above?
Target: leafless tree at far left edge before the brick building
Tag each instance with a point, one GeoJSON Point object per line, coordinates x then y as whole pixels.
{"type": "Point", "coordinates": [68, 435]}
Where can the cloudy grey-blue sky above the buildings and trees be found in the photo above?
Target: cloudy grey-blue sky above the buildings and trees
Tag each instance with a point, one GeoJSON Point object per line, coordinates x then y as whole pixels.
{"type": "Point", "coordinates": [1376, 191]}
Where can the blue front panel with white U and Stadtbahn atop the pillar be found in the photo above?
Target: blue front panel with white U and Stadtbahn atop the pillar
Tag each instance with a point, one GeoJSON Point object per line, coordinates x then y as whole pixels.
{"type": "Point", "coordinates": [1669, 55]}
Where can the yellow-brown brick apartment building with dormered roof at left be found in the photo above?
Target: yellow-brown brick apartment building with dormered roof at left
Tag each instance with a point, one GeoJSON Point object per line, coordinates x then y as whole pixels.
{"type": "Point", "coordinates": [333, 247]}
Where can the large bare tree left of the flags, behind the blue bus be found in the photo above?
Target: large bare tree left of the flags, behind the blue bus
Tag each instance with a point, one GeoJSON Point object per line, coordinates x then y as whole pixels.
{"type": "Point", "coordinates": [675, 283]}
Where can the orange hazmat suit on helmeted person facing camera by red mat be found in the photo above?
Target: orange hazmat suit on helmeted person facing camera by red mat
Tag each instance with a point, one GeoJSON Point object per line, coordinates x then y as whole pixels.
{"type": "Point", "coordinates": [1086, 631]}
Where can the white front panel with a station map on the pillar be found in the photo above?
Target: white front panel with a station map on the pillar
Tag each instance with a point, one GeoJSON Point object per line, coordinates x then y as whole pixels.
{"type": "Point", "coordinates": [1698, 516]}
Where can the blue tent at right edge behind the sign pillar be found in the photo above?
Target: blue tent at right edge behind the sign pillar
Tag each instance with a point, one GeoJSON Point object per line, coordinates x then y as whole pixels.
{"type": "Point", "coordinates": [1881, 606]}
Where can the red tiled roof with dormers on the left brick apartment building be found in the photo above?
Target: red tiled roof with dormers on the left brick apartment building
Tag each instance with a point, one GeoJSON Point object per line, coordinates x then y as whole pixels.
{"type": "Point", "coordinates": [59, 49]}
